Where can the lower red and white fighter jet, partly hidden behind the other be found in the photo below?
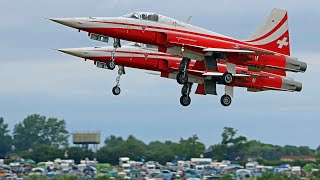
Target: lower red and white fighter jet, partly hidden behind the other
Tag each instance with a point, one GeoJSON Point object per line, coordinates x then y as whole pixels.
{"type": "Point", "coordinates": [136, 55]}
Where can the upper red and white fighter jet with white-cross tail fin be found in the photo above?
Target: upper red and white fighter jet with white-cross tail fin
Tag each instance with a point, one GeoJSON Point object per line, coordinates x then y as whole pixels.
{"type": "Point", "coordinates": [268, 49]}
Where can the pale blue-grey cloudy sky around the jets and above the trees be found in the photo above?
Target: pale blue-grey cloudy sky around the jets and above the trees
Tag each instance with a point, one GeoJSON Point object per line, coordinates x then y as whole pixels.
{"type": "Point", "coordinates": [36, 79]}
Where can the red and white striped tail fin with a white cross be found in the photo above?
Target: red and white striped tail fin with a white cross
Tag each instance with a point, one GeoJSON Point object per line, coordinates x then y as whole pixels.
{"type": "Point", "coordinates": [273, 34]}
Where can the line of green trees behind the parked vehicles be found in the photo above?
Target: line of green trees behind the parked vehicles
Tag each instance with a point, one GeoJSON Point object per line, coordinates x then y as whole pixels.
{"type": "Point", "coordinates": [42, 139]}
